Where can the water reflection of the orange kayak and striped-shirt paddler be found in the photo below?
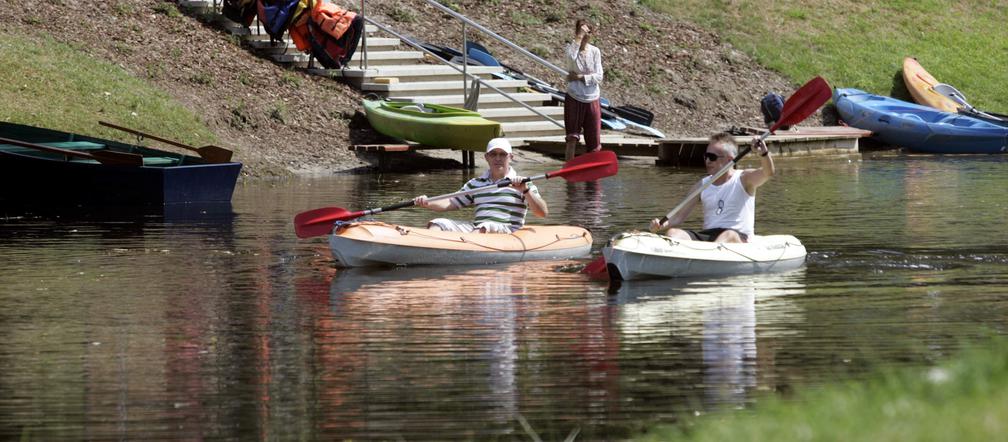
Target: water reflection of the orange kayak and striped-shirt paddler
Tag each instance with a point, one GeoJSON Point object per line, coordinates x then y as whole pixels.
{"type": "Point", "coordinates": [457, 347]}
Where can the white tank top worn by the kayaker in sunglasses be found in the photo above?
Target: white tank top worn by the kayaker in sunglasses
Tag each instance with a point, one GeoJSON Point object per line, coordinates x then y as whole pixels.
{"type": "Point", "coordinates": [729, 206]}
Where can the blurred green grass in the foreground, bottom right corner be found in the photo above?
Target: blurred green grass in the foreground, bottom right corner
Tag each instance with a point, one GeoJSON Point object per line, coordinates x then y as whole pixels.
{"type": "Point", "coordinates": [963, 400]}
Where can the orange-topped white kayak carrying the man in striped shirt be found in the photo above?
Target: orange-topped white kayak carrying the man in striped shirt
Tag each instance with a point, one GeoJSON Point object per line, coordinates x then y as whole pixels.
{"type": "Point", "coordinates": [376, 244]}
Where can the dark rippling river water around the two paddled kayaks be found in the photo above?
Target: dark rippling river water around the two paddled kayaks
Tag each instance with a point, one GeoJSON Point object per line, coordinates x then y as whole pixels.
{"type": "Point", "coordinates": [224, 325]}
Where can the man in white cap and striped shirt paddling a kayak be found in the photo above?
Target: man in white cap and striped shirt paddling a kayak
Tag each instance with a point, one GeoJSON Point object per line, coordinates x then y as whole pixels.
{"type": "Point", "coordinates": [498, 209]}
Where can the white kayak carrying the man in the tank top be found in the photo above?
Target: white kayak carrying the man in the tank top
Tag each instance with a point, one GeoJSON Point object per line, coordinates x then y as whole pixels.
{"type": "Point", "coordinates": [642, 256]}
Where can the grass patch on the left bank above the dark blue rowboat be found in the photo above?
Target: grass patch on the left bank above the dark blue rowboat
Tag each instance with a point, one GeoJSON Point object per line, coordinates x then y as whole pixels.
{"type": "Point", "coordinates": [52, 85]}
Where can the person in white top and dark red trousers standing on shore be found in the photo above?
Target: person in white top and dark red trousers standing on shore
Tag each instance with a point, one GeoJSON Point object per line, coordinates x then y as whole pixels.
{"type": "Point", "coordinates": [582, 109]}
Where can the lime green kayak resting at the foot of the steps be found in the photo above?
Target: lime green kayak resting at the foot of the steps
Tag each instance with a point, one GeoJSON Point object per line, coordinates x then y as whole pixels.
{"type": "Point", "coordinates": [432, 125]}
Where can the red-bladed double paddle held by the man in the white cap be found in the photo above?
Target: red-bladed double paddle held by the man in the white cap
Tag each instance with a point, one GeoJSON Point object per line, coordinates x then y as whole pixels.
{"type": "Point", "coordinates": [589, 167]}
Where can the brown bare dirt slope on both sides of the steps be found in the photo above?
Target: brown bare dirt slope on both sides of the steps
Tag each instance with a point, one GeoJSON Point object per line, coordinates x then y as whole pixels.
{"type": "Point", "coordinates": [282, 122]}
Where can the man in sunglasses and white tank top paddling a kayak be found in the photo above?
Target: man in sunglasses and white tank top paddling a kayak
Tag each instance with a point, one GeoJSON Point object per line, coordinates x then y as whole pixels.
{"type": "Point", "coordinates": [730, 202]}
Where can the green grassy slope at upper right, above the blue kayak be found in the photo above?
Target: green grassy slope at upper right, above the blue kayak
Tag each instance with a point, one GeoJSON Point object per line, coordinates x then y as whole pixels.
{"type": "Point", "coordinates": [862, 45]}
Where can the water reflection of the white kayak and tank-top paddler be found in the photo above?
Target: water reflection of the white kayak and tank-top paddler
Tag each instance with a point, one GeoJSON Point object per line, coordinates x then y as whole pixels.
{"type": "Point", "coordinates": [722, 316]}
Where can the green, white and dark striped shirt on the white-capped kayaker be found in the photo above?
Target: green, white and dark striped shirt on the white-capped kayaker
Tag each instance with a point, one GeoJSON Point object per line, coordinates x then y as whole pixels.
{"type": "Point", "coordinates": [503, 205]}
